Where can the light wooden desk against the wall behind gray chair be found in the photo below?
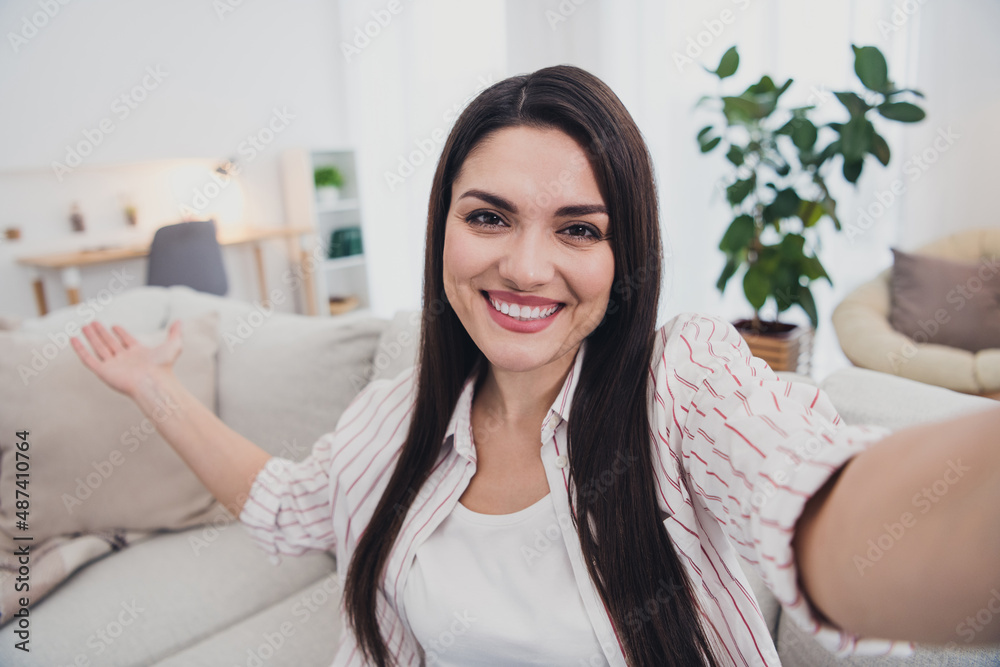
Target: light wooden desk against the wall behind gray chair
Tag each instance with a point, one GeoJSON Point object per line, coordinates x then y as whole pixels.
{"type": "Point", "coordinates": [69, 263]}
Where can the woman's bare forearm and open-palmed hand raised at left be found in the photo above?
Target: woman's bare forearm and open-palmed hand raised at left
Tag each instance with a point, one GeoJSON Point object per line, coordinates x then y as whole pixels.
{"type": "Point", "coordinates": [224, 461]}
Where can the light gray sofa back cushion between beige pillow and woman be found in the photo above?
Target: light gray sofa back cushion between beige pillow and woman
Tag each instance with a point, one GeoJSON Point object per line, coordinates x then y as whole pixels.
{"type": "Point", "coordinates": [284, 380]}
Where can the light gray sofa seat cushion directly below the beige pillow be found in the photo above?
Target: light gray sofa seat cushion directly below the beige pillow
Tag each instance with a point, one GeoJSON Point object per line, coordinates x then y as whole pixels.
{"type": "Point", "coordinates": [160, 596]}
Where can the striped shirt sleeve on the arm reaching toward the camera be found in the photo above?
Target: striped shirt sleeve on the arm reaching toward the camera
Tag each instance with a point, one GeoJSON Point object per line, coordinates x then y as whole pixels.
{"type": "Point", "coordinates": [754, 449]}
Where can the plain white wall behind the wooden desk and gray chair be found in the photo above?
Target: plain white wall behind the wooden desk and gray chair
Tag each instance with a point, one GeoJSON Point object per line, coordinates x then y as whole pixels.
{"type": "Point", "coordinates": [222, 74]}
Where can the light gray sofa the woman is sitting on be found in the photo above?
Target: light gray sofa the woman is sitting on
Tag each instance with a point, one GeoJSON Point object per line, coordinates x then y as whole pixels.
{"type": "Point", "coordinates": [207, 596]}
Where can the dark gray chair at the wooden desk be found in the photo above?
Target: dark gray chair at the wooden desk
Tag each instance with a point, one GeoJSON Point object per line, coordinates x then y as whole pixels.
{"type": "Point", "coordinates": [187, 254]}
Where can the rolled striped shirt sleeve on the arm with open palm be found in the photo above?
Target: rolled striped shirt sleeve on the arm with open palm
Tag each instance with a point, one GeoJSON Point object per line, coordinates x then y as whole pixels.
{"type": "Point", "coordinates": [289, 509]}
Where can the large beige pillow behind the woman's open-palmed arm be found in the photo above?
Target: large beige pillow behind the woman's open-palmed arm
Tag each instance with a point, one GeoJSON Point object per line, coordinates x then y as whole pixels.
{"type": "Point", "coordinates": [95, 463]}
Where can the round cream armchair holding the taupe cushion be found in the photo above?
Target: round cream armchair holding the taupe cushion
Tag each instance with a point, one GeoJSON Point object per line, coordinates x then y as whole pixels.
{"type": "Point", "coordinates": [869, 341]}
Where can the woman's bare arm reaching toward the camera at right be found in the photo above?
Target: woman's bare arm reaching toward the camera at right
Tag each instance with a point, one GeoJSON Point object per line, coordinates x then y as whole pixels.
{"type": "Point", "coordinates": [905, 541]}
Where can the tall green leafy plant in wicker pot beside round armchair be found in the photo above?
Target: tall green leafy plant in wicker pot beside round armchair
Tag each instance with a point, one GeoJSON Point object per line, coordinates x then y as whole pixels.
{"type": "Point", "coordinates": [780, 159]}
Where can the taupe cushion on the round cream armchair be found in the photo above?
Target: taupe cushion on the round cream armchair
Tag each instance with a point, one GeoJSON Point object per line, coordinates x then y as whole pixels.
{"type": "Point", "coordinates": [956, 304]}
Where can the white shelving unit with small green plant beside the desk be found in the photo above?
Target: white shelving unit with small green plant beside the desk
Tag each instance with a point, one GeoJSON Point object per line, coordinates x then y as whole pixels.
{"type": "Point", "coordinates": [329, 278]}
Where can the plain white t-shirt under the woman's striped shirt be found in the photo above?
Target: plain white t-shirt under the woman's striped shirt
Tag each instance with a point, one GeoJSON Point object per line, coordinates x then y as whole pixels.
{"type": "Point", "coordinates": [490, 589]}
